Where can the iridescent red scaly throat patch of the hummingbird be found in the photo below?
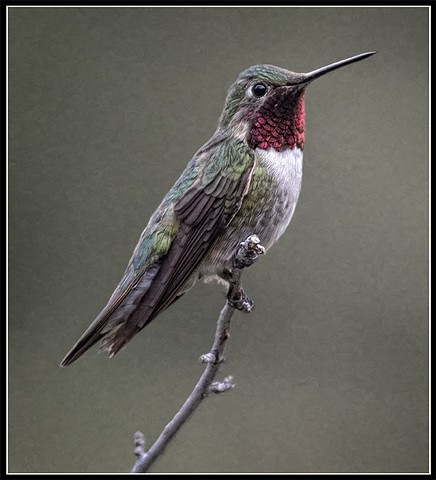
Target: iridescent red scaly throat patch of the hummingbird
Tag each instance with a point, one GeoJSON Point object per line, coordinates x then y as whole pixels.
{"type": "Point", "coordinates": [279, 123]}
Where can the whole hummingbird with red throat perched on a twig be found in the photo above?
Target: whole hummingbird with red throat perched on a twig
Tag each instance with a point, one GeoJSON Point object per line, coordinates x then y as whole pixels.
{"type": "Point", "coordinates": [245, 180]}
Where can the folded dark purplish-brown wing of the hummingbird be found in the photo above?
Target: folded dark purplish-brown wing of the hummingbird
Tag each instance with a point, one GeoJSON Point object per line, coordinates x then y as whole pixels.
{"type": "Point", "coordinates": [202, 216]}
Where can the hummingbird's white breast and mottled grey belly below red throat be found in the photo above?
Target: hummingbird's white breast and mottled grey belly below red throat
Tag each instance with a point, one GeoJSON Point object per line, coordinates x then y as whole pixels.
{"type": "Point", "coordinates": [266, 209]}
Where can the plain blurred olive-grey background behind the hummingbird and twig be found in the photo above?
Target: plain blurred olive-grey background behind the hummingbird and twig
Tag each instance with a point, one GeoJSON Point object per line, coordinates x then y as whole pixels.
{"type": "Point", "coordinates": [106, 106]}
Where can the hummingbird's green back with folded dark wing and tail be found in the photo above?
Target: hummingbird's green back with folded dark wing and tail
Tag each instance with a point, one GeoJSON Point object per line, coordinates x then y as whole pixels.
{"type": "Point", "coordinates": [196, 211]}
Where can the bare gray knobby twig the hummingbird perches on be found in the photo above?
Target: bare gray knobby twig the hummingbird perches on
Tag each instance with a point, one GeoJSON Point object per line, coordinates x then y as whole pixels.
{"type": "Point", "coordinates": [246, 255]}
